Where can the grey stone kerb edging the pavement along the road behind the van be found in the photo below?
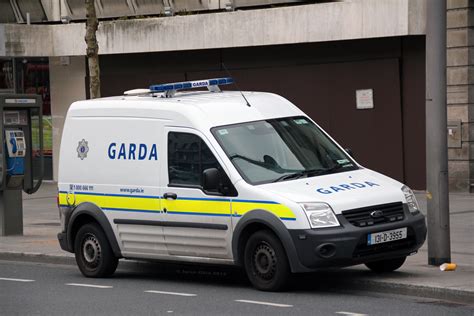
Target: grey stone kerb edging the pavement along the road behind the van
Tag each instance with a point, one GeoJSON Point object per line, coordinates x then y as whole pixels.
{"type": "Point", "coordinates": [431, 292]}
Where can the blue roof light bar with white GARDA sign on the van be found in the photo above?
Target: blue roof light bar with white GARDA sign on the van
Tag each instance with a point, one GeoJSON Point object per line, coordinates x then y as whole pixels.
{"type": "Point", "coordinates": [170, 88]}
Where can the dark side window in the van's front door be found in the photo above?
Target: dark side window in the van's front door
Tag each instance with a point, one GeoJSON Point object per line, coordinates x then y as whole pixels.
{"type": "Point", "coordinates": [188, 157]}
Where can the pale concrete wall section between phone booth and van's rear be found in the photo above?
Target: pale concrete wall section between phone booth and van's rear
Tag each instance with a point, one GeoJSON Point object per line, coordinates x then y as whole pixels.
{"type": "Point", "coordinates": [67, 79]}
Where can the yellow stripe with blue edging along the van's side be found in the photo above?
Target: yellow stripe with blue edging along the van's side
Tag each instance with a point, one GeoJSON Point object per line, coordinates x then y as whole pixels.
{"type": "Point", "coordinates": [180, 206]}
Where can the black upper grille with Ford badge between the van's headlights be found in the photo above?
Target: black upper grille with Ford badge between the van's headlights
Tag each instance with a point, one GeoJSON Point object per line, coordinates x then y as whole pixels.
{"type": "Point", "coordinates": [385, 213]}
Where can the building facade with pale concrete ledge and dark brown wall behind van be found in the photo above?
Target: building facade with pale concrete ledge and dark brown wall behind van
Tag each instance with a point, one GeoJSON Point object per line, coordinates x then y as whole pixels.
{"type": "Point", "coordinates": [321, 56]}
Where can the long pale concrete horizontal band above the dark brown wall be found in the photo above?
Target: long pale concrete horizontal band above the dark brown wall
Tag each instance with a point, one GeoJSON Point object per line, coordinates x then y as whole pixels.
{"type": "Point", "coordinates": [310, 23]}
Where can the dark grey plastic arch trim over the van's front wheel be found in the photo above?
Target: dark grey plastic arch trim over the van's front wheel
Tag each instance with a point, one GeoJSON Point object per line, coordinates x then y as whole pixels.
{"type": "Point", "coordinates": [260, 220]}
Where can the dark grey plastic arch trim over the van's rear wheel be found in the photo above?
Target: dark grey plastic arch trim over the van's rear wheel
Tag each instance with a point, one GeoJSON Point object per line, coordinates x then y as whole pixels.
{"type": "Point", "coordinates": [86, 213]}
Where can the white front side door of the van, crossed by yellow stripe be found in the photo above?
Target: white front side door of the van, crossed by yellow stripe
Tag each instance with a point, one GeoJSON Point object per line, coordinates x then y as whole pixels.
{"type": "Point", "coordinates": [197, 224]}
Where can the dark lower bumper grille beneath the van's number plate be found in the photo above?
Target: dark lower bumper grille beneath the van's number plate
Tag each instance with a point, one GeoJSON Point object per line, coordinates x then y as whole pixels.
{"type": "Point", "coordinates": [363, 249]}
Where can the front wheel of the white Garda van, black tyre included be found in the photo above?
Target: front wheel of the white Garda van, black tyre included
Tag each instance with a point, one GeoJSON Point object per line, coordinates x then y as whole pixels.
{"type": "Point", "coordinates": [266, 262]}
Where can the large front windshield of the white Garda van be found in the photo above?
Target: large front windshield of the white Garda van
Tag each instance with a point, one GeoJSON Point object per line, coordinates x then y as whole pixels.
{"type": "Point", "coordinates": [281, 149]}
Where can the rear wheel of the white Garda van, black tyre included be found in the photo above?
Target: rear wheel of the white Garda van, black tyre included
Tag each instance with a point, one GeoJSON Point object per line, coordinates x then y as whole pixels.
{"type": "Point", "coordinates": [94, 256]}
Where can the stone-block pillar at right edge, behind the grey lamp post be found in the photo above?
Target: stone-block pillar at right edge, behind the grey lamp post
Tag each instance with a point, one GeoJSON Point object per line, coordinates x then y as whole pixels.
{"type": "Point", "coordinates": [460, 94]}
